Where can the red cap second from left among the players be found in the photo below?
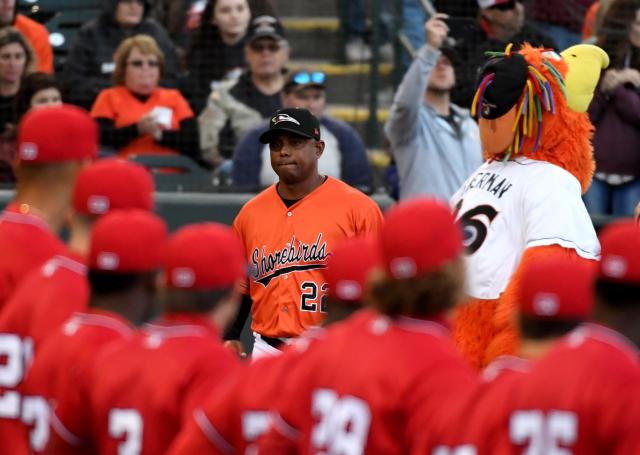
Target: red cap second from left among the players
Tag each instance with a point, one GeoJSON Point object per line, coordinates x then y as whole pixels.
{"type": "Point", "coordinates": [113, 183]}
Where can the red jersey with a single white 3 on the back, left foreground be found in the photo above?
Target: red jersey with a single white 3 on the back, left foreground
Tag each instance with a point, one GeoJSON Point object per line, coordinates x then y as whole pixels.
{"type": "Point", "coordinates": [154, 382]}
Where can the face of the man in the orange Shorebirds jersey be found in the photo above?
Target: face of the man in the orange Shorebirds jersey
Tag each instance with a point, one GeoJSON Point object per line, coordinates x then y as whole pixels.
{"type": "Point", "coordinates": [295, 158]}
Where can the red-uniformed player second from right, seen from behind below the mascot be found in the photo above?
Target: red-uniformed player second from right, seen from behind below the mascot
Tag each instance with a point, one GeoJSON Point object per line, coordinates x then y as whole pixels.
{"type": "Point", "coordinates": [555, 297]}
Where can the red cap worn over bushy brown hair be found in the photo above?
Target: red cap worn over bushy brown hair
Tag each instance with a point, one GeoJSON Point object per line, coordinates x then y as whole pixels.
{"type": "Point", "coordinates": [419, 236]}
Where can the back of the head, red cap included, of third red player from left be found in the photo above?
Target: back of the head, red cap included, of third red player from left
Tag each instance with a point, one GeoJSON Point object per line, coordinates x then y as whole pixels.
{"type": "Point", "coordinates": [125, 245]}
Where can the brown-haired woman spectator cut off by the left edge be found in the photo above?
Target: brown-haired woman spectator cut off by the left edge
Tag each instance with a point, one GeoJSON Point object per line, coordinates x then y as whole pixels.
{"type": "Point", "coordinates": [16, 60]}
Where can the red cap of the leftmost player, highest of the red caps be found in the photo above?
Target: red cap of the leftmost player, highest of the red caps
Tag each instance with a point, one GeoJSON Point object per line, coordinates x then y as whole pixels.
{"type": "Point", "coordinates": [57, 134]}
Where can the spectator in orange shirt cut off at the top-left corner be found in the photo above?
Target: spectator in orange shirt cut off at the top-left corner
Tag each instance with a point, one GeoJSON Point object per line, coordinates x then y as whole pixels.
{"type": "Point", "coordinates": [36, 34]}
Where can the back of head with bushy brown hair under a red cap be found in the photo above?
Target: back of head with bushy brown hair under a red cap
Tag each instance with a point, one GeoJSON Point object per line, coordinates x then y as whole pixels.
{"type": "Point", "coordinates": [421, 246]}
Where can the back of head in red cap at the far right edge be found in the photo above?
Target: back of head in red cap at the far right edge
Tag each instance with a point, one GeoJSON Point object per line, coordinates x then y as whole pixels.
{"type": "Point", "coordinates": [618, 282]}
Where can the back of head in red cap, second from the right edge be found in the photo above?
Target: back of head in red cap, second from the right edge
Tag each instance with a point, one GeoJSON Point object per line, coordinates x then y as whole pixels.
{"type": "Point", "coordinates": [555, 295]}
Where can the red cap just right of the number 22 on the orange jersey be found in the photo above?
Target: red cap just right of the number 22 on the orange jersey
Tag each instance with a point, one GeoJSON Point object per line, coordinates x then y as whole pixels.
{"type": "Point", "coordinates": [349, 266]}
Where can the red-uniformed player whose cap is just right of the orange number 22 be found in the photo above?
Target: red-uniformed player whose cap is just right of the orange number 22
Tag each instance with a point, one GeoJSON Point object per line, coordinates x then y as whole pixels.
{"type": "Point", "coordinates": [235, 416]}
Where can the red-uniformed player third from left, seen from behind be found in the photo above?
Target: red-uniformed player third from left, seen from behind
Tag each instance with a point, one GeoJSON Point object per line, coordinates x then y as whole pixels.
{"type": "Point", "coordinates": [123, 260]}
